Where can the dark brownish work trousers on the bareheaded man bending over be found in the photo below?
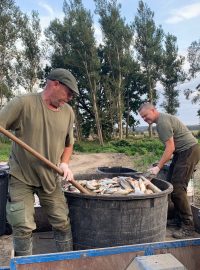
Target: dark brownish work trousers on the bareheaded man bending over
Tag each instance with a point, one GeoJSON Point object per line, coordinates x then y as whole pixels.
{"type": "Point", "coordinates": [180, 172]}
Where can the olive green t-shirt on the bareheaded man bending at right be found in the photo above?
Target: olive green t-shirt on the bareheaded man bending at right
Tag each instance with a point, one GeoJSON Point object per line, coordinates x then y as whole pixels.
{"type": "Point", "coordinates": [170, 126]}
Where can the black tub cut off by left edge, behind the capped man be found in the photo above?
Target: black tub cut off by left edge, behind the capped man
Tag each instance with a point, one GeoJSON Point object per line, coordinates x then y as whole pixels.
{"type": "Point", "coordinates": [3, 198]}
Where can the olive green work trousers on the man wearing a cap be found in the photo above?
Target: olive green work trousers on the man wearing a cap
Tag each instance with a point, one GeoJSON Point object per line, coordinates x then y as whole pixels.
{"type": "Point", "coordinates": [20, 208]}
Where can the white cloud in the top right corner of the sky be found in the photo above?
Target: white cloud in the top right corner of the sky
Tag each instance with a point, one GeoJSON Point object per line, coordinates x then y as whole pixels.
{"type": "Point", "coordinates": [184, 13]}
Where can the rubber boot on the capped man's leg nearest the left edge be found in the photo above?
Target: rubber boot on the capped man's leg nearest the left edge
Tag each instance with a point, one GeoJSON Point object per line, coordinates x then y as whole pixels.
{"type": "Point", "coordinates": [22, 245]}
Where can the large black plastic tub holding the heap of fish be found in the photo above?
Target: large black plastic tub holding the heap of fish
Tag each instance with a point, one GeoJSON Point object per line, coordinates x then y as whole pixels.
{"type": "Point", "coordinates": [105, 221]}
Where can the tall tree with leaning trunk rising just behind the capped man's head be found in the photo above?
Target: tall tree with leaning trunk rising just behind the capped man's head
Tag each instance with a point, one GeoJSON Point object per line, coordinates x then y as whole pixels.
{"type": "Point", "coordinates": [75, 42]}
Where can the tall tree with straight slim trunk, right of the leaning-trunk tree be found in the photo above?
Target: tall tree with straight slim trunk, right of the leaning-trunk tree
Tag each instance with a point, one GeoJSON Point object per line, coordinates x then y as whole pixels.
{"type": "Point", "coordinates": [117, 37]}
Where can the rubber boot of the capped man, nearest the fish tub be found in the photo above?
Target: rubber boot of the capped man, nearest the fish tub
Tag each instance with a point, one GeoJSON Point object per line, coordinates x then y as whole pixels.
{"type": "Point", "coordinates": [63, 240]}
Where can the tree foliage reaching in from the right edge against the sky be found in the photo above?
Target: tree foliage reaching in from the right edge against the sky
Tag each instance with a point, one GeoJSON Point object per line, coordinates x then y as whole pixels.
{"type": "Point", "coordinates": [194, 60]}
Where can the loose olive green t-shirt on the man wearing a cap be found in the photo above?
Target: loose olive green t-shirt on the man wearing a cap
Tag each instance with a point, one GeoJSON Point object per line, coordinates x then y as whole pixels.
{"type": "Point", "coordinates": [46, 131]}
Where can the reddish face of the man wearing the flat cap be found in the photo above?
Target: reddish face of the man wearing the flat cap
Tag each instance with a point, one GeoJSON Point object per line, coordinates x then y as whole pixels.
{"type": "Point", "coordinates": [61, 95]}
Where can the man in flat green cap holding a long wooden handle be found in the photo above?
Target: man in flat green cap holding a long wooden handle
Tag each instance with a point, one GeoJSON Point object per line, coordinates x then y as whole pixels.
{"type": "Point", "coordinates": [45, 122]}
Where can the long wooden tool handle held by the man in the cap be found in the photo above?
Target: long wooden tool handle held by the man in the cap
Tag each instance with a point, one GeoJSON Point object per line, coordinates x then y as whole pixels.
{"type": "Point", "coordinates": [40, 157]}
